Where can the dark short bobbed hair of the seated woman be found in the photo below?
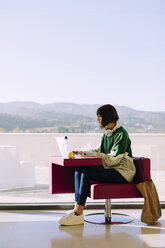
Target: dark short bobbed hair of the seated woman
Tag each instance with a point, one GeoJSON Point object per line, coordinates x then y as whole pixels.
{"type": "Point", "coordinates": [108, 114]}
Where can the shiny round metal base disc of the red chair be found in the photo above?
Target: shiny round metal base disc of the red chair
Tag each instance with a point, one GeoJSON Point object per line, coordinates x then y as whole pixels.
{"type": "Point", "coordinates": [99, 218]}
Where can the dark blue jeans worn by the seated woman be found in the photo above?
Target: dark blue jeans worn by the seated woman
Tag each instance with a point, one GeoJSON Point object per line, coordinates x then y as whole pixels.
{"type": "Point", "coordinates": [84, 175]}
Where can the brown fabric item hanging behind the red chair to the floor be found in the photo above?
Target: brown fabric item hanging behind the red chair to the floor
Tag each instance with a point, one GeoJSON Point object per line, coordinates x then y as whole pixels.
{"type": "Point", "coordinates": [151, 211]}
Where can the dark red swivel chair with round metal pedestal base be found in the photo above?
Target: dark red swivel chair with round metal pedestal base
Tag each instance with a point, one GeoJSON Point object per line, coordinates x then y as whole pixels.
{"type": "Point", "coordinates": [110, 191]}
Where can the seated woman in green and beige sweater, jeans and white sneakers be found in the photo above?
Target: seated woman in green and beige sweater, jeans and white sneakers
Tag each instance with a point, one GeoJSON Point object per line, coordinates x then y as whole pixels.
{"type": "Point", "coordinates": [118, 167]}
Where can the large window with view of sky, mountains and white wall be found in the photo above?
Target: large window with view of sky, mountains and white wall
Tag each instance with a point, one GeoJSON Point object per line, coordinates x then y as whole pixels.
{"type": "Point", "coordinates": [60, 60]}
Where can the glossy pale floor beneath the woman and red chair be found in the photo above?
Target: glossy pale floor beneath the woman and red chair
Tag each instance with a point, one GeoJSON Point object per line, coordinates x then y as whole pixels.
{"type": "Point", "coordinates": [40, 229]}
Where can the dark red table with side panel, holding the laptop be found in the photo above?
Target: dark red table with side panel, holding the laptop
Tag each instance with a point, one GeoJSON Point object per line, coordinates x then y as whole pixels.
{"type": "Point", "coordinates": [62, 172]}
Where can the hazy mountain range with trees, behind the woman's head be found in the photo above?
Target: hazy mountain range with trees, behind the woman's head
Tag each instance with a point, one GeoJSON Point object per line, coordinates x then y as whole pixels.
{"type": "Point", "coordinates": [71, 117]}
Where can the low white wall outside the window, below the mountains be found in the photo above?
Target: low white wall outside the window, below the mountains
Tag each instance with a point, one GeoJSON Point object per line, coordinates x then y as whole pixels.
{"type": "Point", "coordinates": [39, 147]}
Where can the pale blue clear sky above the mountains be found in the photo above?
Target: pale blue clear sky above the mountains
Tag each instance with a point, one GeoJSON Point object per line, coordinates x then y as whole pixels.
{"type": "Point", "coordinates": [90, 51]}
